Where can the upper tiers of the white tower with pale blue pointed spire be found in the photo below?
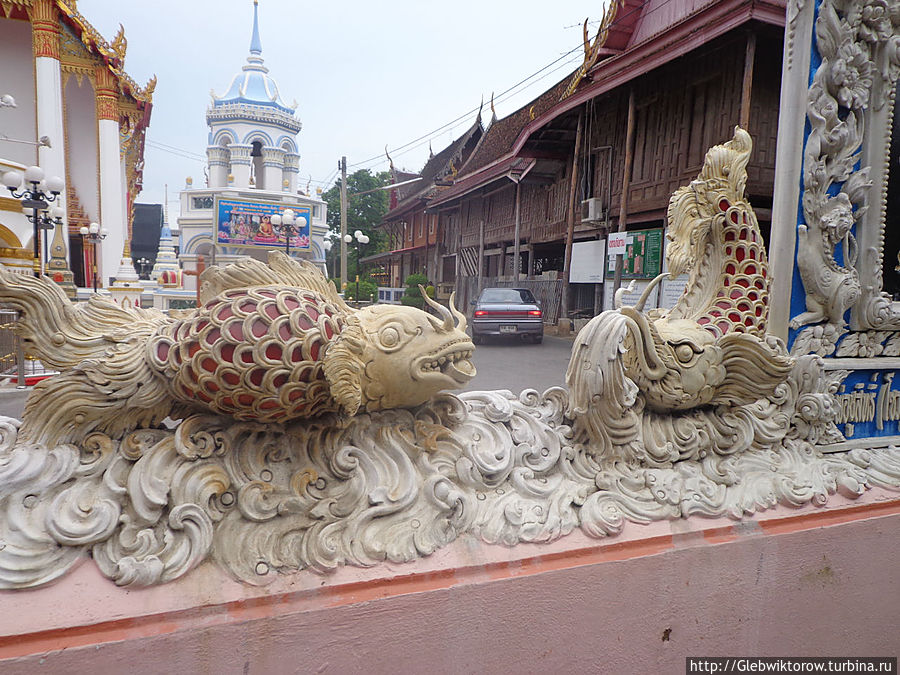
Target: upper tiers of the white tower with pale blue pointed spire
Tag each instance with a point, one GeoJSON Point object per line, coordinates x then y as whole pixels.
{"type": "Point", "coordinates": [252, 131]}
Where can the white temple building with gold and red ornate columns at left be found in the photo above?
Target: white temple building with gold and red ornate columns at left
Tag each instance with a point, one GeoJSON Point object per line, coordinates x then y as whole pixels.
{"type": "Point", "coordinates": [70, 108]}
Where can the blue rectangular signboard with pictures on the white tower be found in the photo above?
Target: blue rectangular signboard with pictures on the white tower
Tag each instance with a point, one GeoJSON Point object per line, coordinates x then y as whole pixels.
{"type": "Point", "coordinates": [248, 222]}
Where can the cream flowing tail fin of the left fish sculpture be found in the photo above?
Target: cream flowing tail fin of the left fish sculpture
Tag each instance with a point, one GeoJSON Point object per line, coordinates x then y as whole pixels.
{"type": "Point", "coordinates": [98, 347]}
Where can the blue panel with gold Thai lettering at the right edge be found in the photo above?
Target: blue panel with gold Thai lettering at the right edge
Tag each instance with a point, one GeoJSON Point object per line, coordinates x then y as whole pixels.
{"type": "Point", "coordinates": [868, 404]}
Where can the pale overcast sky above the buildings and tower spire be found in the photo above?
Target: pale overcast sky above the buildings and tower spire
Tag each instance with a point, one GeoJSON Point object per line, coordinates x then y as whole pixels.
{"type": "Point", "coordinates": [365, 74]}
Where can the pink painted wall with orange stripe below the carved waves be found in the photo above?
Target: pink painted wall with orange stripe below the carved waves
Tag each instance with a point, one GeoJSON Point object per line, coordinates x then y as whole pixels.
{"type": "Point", "coordinates": [791, 582]}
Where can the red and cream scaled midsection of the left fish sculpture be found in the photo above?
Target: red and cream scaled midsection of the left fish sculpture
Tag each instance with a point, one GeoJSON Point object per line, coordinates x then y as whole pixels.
{"type": "Point", "coordinates": [254, 353]}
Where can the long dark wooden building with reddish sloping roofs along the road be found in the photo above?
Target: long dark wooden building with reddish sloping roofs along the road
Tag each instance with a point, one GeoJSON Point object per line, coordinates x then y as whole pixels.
{"type": "Point", "coordinates": [678, 75]}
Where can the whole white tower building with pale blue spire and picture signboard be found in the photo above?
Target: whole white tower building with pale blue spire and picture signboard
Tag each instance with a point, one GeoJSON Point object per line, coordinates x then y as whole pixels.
{"type": "Point", "coordinates": [253, 162]}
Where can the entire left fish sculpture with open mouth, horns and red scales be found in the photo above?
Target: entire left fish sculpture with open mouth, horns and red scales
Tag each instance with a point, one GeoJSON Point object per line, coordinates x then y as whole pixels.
{"type": "Point", "coordinates": [268, 343]}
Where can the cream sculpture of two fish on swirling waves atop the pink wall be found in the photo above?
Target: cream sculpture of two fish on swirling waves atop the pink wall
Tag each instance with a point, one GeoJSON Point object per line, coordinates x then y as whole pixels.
{"type": "Point", "coordinates": [313, 436]}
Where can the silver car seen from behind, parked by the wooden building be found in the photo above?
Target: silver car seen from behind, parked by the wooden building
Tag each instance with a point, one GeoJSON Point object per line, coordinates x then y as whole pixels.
{"type": "Point", "coordinates": [509, 312]}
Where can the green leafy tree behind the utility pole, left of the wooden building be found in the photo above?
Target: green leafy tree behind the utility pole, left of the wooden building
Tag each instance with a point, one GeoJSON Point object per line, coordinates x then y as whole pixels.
{"type": "Point", "coordinates": [364, 213]}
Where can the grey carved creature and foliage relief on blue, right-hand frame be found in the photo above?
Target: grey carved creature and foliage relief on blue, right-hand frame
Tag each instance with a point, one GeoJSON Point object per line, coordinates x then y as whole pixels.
{"type": "Point", "coordinates": [857, 41]}
